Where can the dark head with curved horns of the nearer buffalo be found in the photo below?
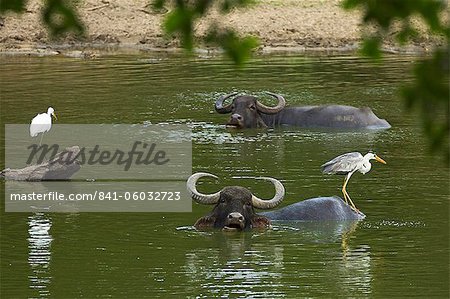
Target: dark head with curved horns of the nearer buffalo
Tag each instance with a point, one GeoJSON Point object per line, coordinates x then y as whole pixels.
{"type": "Point", "coordinates": [234, 206]}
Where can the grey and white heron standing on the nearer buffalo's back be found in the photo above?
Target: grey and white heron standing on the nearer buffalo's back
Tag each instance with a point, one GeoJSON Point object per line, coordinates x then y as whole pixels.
{"type": "Point", "coordinates": [347, 164]}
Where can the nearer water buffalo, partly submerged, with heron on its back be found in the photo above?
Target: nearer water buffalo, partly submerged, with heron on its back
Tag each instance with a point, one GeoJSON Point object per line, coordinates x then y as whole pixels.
{"type": "Point", "coordinates": [234, 207]}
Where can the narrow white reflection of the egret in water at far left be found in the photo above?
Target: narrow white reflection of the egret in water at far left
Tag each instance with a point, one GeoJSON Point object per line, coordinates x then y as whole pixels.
{"type": "Point", "coordinates": [39, 253]}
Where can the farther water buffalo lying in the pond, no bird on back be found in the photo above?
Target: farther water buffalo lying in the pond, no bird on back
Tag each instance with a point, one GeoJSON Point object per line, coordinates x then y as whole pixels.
{"type": "Point", "coordinates": [247, 112]}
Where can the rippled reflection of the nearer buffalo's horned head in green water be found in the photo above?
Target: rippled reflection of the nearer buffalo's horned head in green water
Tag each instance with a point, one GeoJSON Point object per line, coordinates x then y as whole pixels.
{"type": "Point", "coordinates": [236, 267]}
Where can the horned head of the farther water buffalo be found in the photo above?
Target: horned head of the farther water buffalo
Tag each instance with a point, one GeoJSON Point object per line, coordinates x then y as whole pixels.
{"type": "Point", "coordinates": [246, 110]}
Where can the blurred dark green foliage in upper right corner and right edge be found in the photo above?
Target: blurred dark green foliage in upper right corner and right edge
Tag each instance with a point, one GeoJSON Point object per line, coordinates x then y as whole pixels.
{"type": "Point", "coordinates": [430, 91]}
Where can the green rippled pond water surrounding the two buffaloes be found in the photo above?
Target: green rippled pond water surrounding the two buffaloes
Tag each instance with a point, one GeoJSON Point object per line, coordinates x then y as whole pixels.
{"type": "Point", "coordinates": [400, 250]}
